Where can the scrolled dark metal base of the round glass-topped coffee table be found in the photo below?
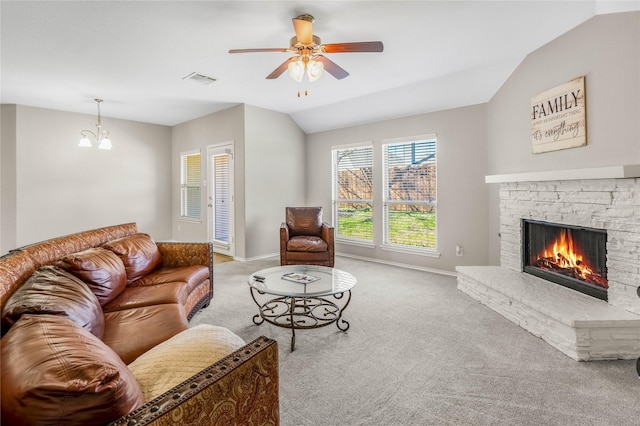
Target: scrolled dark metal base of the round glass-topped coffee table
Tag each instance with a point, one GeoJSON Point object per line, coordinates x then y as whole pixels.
{"type": "Point", "coordinates": [302, 313]}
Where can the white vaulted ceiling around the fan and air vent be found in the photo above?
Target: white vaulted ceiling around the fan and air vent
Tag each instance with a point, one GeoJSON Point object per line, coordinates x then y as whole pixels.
{"type": "Point", "coordinates": [135, 54]}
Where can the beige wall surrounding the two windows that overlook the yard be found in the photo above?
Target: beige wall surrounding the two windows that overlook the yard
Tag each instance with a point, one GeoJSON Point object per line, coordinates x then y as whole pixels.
{"type": "Point", "coordinates": [462, 195]}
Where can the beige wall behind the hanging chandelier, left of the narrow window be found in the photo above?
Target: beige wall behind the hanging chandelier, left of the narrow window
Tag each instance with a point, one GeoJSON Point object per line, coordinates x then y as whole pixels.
{"type": "Point", "coordinates": [61, 188]}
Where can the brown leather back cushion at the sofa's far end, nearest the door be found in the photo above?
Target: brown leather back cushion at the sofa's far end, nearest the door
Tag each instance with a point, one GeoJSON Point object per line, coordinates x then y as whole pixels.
{"type": "Point", "coordinates": [138, 253]}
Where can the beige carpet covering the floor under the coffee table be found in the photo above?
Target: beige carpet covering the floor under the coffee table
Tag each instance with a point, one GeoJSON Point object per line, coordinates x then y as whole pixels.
{"type": "Point", "coordinates": [419, 352]}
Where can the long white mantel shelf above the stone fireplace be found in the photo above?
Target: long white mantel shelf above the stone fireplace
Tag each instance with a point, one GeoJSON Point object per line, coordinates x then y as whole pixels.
{"type": "Point", "coordinates": [607, 172]}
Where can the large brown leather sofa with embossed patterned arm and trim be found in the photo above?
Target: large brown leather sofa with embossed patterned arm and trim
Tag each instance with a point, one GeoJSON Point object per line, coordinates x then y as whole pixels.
{"type": "Point", "coordinates": [79, 310]}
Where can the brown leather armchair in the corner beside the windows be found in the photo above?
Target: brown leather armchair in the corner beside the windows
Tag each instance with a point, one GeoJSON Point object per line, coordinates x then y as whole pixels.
{"type": "Point", "coordinates": [305, 239]}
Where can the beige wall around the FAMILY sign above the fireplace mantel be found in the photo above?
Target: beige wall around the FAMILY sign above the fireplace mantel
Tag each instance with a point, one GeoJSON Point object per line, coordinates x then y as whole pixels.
{"type": "Point", "coordinates": [606, 50]}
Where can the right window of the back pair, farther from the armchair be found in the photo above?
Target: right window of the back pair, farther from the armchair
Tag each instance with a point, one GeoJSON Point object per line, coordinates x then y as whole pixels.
{"type": "Point", "coordinates": [409, 193]}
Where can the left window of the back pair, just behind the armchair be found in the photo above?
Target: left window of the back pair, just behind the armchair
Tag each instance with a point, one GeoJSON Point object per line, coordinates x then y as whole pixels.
{"type": "Point", "coordinates": [353, 193]}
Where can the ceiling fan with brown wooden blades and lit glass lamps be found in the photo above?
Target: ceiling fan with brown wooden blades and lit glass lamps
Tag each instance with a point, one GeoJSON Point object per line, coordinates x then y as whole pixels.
{"type": "Point", "coordinates": [309, 53]}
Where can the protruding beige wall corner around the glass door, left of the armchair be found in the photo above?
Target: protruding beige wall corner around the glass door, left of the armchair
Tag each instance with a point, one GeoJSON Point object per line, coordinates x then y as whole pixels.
{"type": "Point", "coordinates": [269, 174]}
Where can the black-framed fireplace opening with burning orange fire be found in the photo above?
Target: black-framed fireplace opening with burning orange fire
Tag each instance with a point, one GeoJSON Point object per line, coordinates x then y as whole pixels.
{"type": "Point", "coordinates": [574, 257]}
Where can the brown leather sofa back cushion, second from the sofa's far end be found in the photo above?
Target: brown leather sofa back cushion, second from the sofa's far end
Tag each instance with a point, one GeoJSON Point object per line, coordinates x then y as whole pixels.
{"type": "Point", "coordinates": [101, 269]}
